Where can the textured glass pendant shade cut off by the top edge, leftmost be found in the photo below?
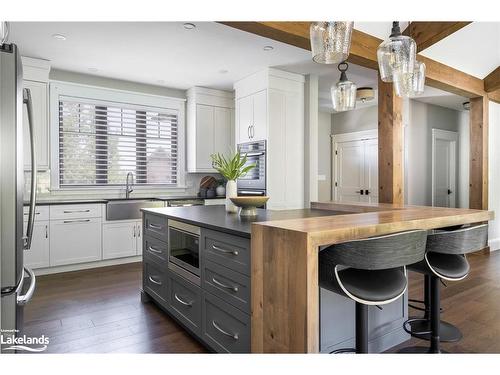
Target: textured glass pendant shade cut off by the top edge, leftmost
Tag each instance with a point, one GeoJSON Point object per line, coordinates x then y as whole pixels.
{"type": "Point", "coordinates": [330, 41]}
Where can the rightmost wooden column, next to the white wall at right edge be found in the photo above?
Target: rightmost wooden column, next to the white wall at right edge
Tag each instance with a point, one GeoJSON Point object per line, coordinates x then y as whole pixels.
{"type": "Point", "coordinates": [478, 173]}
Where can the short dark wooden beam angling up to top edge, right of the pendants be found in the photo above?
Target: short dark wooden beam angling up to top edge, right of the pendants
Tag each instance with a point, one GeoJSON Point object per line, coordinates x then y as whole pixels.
{"type": "Point", "coordinates": [426, 34]}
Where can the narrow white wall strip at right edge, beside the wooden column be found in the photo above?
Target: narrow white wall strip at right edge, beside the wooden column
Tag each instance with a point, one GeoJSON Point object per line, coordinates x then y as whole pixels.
{"type": "Point", "coordinates": [494, 174]}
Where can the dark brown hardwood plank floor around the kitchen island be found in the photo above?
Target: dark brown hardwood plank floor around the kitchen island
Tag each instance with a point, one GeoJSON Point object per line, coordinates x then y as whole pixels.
{"type": "Point", "coordinates": [99, 311]}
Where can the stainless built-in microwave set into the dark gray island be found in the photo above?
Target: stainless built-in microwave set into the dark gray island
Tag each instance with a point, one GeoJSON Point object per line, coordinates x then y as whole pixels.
{"type": "Point", "coordinates": [184, 250]}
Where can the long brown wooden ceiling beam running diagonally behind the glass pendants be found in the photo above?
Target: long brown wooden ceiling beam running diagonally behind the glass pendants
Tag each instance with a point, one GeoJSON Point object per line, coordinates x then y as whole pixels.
{"type": "Point", "coordinates": [363, 52]}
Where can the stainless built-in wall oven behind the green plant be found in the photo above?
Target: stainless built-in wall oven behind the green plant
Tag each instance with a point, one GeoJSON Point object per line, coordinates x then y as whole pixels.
{"type": "Point", "coordinates": [254, 182]}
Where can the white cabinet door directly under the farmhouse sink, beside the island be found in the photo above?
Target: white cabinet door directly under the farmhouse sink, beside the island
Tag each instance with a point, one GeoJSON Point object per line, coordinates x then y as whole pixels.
{"type": "Point", "coordinates": [119, 240]}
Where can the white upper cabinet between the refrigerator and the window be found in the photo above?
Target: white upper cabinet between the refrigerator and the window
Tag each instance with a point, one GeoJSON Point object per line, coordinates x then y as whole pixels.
{"type": "Point", "coordinates": [35, 78]}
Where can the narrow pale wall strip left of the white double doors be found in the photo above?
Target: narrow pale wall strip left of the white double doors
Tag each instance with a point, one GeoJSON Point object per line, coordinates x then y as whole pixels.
{"type": "Point", "coordinates": [324, 156]}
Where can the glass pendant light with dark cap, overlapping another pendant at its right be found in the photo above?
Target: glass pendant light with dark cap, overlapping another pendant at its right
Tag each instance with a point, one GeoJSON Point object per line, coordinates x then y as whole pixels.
{"type": "Point", "coordinates": [396, 56]}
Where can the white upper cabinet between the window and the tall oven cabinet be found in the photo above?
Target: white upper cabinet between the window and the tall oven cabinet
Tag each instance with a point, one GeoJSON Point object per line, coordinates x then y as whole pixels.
{"type": "Point", "coordinates": [210, 124]}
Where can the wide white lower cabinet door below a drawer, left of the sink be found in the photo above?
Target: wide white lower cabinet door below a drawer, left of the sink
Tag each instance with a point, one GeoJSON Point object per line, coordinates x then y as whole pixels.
{"type": "Point", "coordinates": [75, 241]}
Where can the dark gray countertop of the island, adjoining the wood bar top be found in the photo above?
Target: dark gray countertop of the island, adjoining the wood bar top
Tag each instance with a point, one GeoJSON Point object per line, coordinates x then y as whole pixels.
{"type": "Point", "coordinates": [216, 217]}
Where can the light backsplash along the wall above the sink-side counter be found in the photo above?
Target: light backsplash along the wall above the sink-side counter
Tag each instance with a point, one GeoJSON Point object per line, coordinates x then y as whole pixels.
{"type": "Point", "coordinates": [192, 184]}
